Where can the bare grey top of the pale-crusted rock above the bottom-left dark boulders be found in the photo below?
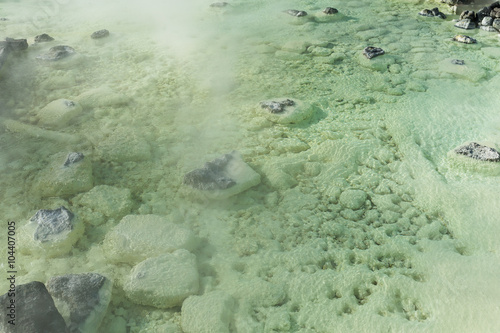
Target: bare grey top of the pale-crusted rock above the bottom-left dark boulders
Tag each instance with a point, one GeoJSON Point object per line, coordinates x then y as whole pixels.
{"type": "Point", "coordinates": [51, 223]}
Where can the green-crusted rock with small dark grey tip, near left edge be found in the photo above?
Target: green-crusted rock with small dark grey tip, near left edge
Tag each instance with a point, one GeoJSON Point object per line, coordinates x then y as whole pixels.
{"type": "Point", "coordinates": [66, 175]}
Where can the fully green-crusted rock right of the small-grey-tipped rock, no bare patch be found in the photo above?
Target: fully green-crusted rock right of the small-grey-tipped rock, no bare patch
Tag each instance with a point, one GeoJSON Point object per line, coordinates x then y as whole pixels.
{"type": "Point", "coordinates": [104, 202]}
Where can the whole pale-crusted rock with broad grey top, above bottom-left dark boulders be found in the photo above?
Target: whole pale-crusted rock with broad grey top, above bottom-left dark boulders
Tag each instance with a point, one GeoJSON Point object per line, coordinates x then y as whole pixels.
{"type": "Point", "coordinates": [51, 232]}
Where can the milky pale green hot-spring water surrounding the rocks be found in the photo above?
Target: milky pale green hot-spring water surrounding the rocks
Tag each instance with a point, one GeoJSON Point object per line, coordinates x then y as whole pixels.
{"type": "Point", "coordinates": [176, 85]}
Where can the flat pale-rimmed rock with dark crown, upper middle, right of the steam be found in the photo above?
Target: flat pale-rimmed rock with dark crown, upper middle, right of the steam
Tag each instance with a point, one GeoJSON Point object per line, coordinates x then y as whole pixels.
{"type": "Point", "coordinates": [286, 111]}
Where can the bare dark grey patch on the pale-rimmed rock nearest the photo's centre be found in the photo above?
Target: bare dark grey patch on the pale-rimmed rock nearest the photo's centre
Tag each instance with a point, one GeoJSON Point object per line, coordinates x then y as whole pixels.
{"type": "Point", "coordinates": [213, 175]}
